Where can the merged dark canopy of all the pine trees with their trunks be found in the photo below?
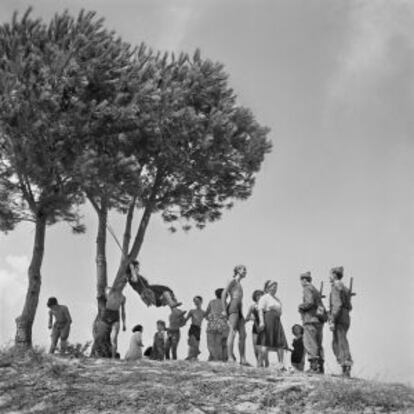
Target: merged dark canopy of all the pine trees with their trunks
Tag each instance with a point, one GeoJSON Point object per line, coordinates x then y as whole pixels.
{"type": "Point", "coordinates": [84, 115]}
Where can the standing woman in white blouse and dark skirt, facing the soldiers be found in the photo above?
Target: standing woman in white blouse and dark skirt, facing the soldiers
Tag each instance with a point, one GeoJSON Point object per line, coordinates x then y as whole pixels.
{"type": "Point", "coordinates": [272, 336]}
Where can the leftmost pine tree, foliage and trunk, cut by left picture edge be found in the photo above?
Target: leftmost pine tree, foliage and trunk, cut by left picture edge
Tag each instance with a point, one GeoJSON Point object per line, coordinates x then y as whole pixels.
{"type": "Point", "coordinates": [36, 151]}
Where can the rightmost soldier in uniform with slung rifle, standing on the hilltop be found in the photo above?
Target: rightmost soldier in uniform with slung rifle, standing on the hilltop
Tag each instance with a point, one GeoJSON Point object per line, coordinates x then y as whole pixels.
{"type": "Point", "coordinates": [339, 319]}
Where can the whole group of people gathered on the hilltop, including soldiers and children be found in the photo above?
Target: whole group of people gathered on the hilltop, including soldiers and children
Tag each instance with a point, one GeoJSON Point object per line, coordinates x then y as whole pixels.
{"type": "Point", "coordinates": [225, 321]}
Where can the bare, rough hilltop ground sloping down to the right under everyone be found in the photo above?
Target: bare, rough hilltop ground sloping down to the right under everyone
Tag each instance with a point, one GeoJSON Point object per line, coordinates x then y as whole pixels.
{"type": "Point", "coordinates": [38, 383]}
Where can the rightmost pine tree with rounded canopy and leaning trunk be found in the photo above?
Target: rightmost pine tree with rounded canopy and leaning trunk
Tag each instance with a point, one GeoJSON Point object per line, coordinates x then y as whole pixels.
{"type": "Point", "coordinates": [202, 149]}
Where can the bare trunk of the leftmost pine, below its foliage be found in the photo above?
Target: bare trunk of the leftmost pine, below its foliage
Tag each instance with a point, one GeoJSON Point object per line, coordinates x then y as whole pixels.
{"type": "Point", "coordinates": [24, 322]}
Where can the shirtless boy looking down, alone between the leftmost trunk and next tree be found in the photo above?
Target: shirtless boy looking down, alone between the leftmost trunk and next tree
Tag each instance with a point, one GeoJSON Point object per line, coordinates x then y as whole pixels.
{"type": "Point", "coordinates": [61, 327]}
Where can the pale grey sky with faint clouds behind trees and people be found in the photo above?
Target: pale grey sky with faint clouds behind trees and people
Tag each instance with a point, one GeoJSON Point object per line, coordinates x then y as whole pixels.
{"type": "Point", "coordinates": [335, 83]}
